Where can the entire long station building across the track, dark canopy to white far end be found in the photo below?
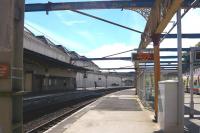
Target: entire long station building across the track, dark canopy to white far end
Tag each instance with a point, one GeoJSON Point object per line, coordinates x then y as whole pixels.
{"type": "Point", "coordinates": [50, 67]}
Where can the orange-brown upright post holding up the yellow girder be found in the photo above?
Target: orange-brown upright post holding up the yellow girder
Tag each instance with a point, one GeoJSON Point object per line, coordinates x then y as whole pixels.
{"type": "Point", "coordinates": [156, 41]}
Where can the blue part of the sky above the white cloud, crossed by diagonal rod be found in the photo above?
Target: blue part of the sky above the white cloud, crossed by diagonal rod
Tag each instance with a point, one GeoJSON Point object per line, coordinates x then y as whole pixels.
{"type": "Point", "coordinates": [83, 34]}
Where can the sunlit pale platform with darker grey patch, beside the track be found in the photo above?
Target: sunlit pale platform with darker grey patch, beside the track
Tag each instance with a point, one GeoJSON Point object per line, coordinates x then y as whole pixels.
{"type": "Point", "coordinates": [119, 112]}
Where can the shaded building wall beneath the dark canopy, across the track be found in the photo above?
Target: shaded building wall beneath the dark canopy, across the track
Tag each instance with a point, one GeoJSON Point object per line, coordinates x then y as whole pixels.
{"type": "Point", "coordinates": [39, 77]}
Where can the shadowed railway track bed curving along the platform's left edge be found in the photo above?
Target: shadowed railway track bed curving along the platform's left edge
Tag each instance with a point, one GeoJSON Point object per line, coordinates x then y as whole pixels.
{"type": "Point", "coordinates": [41, 119]}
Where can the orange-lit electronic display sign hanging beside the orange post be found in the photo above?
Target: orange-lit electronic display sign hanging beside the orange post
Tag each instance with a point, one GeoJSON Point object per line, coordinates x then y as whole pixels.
{"type": "Point", "coordinates": [142, 56]}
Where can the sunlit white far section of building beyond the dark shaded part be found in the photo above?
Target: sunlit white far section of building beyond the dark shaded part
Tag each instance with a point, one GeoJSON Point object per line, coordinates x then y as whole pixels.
{"type": "Point", "coordinates": [88, 79]}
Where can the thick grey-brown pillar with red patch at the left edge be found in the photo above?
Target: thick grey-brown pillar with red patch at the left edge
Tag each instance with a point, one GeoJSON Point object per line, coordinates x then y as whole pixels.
{"type": "Point", "coordinates": [11, 65]}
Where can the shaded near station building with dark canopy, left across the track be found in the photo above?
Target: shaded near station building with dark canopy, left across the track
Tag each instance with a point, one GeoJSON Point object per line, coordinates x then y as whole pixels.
{"type": "Point", "coordinates": [46, 67]}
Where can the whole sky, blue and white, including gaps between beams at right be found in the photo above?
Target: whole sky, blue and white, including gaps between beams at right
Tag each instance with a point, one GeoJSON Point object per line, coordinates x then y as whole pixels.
{"type": "Point", "coordinates": [94, 38]}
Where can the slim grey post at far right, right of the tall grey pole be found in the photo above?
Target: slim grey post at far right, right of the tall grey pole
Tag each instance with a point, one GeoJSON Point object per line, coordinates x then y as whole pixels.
{"type": "Point", "coordinates": [191, 85]}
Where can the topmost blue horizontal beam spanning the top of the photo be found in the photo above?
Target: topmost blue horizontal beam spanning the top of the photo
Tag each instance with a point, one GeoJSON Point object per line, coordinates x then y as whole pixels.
{"type": "Point", "coordinates": [123, 4]}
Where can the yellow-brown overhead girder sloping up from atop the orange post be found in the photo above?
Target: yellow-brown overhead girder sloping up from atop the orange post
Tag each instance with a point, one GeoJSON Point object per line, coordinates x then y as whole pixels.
{"type": "Point", "coordinates": [161, 14]}
